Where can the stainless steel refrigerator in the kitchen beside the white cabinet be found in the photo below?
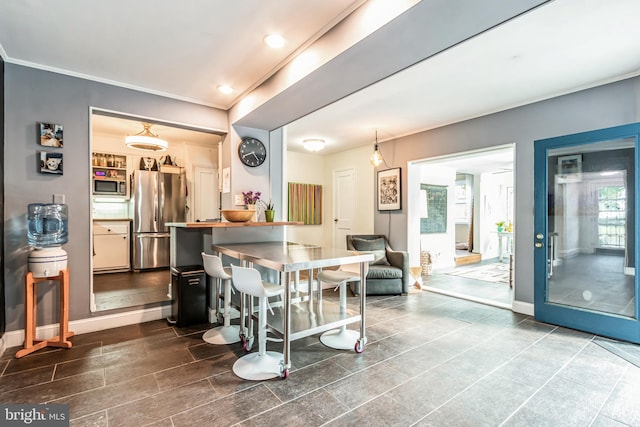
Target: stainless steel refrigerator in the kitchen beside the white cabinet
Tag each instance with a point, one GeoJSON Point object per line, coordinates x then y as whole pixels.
{"type": "Point", "coordinates": [157, 198]}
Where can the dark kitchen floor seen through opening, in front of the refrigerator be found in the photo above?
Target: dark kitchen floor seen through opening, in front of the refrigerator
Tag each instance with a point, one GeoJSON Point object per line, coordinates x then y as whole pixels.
{"type": "Point", "coordinates": [130, 289]}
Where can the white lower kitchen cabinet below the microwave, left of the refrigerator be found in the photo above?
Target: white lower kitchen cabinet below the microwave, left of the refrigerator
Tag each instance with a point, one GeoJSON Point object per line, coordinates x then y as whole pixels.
{"type": "Point", "coordinates": [111, 246]}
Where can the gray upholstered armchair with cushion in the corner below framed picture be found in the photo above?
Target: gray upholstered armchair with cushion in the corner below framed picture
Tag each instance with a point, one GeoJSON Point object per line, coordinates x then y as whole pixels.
{"type": "Point", "coordinates": [388, 272]}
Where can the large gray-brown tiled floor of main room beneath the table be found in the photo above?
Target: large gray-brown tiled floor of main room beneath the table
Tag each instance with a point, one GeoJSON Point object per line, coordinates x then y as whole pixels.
{"type": "Point", "coordinates": [430, 360]}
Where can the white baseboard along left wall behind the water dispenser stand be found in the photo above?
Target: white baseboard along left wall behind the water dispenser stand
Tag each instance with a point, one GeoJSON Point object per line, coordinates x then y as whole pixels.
{"type": "Point", "coordinates": [91, 324]}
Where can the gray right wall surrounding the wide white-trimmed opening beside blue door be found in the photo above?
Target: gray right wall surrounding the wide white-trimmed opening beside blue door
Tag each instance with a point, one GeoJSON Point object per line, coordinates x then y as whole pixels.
{"type": "Point", "coordinates": [601, 107]}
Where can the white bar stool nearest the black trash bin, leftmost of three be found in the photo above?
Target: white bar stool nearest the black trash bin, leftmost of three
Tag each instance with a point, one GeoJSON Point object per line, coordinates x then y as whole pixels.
{"type": "Point", "coordinates": [226, 334]}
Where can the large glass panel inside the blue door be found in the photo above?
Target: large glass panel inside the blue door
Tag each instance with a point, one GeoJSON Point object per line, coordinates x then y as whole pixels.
{"type": "Point", "coordinates": [591, 225]}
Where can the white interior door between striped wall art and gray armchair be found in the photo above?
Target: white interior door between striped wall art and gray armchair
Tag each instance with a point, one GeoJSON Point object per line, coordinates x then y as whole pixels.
{"type": "Point", "coordinates": [343, 206]}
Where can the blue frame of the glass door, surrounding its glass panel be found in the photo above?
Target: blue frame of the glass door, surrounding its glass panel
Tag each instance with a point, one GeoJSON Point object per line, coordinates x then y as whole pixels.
{"type": "Point", "coordinates": [600, 323]}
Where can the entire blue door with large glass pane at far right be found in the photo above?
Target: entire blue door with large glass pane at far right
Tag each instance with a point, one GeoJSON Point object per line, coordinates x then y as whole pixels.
{"type": "Point", "coordinates": [586, 204]}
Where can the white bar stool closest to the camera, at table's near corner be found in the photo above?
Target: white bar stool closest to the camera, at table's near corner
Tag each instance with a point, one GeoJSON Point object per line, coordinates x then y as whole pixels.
{"type": "Point", "coordinates": [264, 364]}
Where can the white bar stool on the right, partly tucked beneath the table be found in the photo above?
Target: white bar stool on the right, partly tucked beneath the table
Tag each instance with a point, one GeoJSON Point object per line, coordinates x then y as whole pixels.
{"type": "Point", "coordinates": [343, 338]}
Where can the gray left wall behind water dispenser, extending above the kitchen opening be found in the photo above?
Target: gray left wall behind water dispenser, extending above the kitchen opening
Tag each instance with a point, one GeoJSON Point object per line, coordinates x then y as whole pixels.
{"type": "Point", "coordinates": [33, 96]}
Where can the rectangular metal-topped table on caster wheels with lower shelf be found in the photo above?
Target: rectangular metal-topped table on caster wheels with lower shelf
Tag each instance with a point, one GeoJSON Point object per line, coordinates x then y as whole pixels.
{"type": "Point", "coordinates": [301, 317]}
